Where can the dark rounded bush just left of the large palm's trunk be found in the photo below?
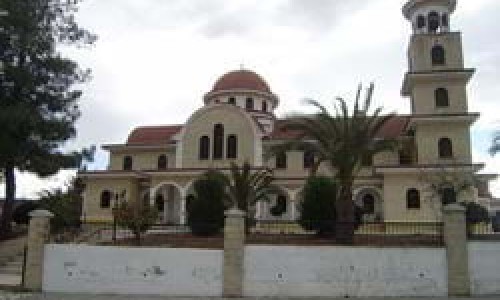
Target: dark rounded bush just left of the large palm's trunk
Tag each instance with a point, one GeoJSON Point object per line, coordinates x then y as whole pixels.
{"type": "Point", "coordinates": [318, 206]}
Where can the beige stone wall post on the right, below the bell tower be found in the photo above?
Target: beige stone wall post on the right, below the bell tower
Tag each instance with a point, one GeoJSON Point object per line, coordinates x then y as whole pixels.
{"type": "Point", "coordinates": [455, 238]}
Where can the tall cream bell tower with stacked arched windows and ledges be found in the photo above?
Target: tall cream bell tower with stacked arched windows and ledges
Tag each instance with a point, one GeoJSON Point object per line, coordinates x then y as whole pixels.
{"type": "Point", "coordinates": [436, 84]}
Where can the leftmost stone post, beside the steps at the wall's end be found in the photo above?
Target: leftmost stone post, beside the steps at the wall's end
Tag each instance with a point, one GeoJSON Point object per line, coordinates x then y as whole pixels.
{"type": "Point", "coordinates": [38, 236]}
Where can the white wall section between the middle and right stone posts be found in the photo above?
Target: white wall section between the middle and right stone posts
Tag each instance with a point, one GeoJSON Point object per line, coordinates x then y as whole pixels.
{"type": "Point", "coordinates": [287, 271]}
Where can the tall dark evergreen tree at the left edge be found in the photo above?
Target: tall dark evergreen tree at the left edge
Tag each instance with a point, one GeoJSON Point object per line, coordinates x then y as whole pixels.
{"type": "Point", "coordinates": [38, 90]}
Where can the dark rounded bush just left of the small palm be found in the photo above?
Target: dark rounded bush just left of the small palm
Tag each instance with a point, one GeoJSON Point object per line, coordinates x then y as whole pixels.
{"type": "Point", "coordinates": [206, 208]}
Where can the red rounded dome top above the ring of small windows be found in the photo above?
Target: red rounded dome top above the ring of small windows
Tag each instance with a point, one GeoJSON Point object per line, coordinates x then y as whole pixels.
{"type": "Point", "coordinates": [241, 80]}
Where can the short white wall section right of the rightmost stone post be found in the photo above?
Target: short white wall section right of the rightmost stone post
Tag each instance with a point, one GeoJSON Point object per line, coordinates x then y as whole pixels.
{"type": "Point", "coordinates": [484, 267]}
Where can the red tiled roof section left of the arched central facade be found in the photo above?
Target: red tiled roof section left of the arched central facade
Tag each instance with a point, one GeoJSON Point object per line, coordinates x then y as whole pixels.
{"type": "Point", "coordinates": [153, 135]}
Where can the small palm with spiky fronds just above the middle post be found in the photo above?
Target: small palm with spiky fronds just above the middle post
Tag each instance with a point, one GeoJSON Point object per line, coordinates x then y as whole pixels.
{"type": "Point", "coordinates": [246, 187]}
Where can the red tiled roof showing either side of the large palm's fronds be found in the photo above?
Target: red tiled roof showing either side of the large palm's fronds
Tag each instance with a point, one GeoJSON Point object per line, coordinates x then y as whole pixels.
{"type": "Point", "coordinates": [393, 128]}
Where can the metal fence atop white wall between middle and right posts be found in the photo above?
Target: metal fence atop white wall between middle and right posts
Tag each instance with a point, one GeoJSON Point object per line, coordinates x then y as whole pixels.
{"type": "Point", "coordinates": [369, 234]}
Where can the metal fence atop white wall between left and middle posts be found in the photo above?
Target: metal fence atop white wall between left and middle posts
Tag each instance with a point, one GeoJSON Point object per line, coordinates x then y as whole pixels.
{"type": "Point", "coordinates": [206, 235]}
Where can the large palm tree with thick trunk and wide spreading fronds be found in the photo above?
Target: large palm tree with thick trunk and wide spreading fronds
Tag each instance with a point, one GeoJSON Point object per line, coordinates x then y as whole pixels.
{"type": "Point", "coordinates": [341, 140]}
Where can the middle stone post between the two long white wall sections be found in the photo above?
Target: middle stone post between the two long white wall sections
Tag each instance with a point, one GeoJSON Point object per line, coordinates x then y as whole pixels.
{"type": "Point", "coordinates": [234, 240]}
